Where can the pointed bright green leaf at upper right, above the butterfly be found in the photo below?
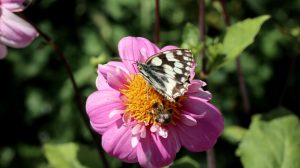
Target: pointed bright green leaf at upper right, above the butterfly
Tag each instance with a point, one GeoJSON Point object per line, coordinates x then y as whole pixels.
{"type": "Point", "coordinates": [241, 35]}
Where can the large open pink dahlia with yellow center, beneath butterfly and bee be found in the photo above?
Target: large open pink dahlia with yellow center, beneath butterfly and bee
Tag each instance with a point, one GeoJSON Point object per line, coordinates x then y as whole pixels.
{"type": "Point", "coordinates": [120, 111]}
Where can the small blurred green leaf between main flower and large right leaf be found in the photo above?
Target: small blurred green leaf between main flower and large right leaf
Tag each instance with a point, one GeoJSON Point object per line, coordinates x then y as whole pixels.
{"type": "Point", "coordinates": [234, 134]}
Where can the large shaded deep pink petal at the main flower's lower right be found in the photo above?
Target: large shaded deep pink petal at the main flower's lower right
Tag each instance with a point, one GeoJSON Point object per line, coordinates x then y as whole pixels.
{"type": "Point", "coordinates": [209, 127]}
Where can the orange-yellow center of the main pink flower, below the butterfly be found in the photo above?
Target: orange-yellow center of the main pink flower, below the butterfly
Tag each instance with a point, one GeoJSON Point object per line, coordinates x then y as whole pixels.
{"type": "Point", "coordinates": [142, 100]}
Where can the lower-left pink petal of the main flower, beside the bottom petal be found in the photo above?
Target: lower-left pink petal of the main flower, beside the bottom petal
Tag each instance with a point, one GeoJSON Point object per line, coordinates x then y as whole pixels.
{"type": "Point", "coordinates": [117, 142]}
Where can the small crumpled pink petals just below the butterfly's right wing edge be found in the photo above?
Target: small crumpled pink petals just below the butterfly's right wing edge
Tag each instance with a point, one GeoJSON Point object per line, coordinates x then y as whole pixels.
{"type": "Point", "coordinates": [195, 90]}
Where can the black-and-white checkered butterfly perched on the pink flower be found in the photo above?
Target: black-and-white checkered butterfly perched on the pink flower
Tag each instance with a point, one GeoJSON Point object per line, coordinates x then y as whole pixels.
{"type": "Point", "coordinates": [168, 72]}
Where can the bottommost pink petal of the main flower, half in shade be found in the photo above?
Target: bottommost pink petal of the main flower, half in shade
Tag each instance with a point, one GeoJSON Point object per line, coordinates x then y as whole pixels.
{"type": "Point", "coordinates": [155, 151]}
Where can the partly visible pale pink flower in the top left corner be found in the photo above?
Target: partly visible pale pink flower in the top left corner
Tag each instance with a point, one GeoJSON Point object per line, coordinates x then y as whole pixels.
{"type": "Point", "coordinates": [14, 31]}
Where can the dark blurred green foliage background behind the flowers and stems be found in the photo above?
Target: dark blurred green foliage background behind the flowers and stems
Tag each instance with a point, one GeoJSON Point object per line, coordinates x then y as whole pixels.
{"type": "Point", "coordinates": [37, 108]}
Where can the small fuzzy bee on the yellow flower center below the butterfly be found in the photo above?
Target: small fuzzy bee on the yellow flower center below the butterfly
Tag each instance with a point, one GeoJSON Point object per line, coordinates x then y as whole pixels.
{"type": "Point", "coordinates": [161, 114]}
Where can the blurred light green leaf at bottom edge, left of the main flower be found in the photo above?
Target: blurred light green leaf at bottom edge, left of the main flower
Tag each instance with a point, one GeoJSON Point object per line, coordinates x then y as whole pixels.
{"type": "Point", "coordinates": [62, 155]}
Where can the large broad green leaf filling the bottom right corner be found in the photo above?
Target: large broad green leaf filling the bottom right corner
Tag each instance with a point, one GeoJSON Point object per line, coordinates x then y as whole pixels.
{"type": "Point", "coordinates": [272, 141]}
